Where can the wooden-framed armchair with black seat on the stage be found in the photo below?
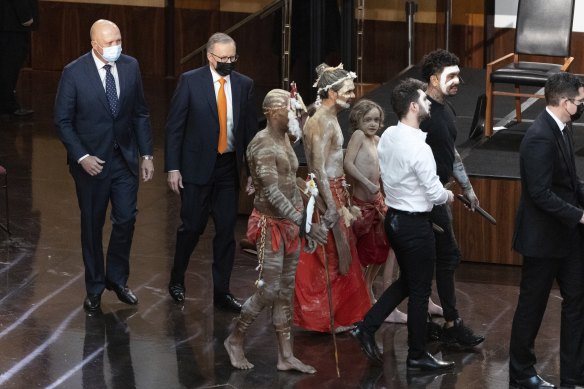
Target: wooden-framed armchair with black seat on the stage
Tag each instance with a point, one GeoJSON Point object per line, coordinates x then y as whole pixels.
{"type": "Point", "coordinates": [543, 30]}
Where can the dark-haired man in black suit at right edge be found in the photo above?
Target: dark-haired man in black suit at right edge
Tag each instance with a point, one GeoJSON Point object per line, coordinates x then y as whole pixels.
{"type": "Point", "coordinates": [548, 235]}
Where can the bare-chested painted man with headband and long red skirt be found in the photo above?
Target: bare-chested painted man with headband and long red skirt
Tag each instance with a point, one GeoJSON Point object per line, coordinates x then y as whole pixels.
{"type": "Point", "coordinates": [323, 145]}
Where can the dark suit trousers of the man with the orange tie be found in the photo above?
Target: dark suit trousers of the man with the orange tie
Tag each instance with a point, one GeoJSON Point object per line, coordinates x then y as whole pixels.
{"type": "Point", "coordinates": [219, 198]}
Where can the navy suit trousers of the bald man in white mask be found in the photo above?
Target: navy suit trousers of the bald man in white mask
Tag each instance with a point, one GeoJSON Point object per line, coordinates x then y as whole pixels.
{"type": "Point", "coordinates": [120, 188]}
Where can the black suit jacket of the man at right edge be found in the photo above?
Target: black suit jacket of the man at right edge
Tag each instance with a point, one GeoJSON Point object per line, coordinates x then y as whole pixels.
{"type": "Point", "coordinates": [551, 193]}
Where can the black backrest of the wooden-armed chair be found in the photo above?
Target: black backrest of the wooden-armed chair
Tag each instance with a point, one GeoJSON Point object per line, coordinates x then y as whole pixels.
{"type": "Point", "coordinates": [544, 27]}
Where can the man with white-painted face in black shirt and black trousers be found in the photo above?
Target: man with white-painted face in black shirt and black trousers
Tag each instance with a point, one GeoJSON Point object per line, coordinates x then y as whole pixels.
{"type": "Point", "coordinates": [440, 70]}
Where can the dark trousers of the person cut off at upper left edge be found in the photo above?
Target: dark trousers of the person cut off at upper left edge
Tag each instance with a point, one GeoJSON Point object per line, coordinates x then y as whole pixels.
{"type": "Point", "coordinates": [14, 46]}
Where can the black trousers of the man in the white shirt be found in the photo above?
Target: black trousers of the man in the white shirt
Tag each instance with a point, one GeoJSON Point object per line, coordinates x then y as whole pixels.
{"type": "Point", "coordinates": [412, 239]}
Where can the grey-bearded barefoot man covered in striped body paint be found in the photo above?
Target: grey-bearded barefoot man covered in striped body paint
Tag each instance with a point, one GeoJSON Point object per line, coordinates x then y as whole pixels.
{"type": "Point", "coordinates": [274, 226]}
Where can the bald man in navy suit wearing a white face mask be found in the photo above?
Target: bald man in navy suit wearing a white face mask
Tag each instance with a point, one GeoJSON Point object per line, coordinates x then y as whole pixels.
{"type": "Point", "coordinates": [102, 119]}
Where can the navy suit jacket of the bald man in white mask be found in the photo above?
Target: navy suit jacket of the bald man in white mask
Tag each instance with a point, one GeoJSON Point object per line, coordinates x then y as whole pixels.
{"type": "Point", "coordinates": [85, 123]}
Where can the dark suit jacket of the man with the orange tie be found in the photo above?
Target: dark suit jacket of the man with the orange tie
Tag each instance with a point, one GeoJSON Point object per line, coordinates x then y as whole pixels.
{"type": "Point", "coordinates": [192, 127]}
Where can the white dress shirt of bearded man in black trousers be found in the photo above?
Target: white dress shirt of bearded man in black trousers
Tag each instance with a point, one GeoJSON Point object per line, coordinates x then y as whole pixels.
{"type": "Point", "coordinates": [408, 170]}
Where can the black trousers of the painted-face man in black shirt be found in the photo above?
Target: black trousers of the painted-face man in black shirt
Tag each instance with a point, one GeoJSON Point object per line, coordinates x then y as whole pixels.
{"type": "Point", "coordinates": [447, 260]}
